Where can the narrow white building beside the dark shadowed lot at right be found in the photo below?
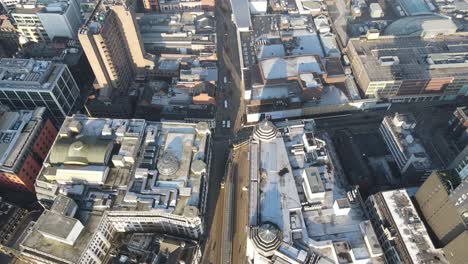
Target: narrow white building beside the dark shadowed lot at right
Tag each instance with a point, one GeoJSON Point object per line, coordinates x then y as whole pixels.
{"type": "Point", "coordinates": [408, 153]}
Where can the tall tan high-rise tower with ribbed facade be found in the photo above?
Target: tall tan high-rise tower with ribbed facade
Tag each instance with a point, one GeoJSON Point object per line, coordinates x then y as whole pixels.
{"type": "Point", "coordinates": [112, 43]}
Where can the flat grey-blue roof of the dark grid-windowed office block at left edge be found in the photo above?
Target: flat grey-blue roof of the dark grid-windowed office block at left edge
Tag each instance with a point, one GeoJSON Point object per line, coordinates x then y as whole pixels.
{"type": "Point", "coordinates": [28, 73]}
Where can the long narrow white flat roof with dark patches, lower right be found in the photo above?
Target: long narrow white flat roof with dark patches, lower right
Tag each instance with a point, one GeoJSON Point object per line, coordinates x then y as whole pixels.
{"type": "Point", "coordinates": [410, 227]}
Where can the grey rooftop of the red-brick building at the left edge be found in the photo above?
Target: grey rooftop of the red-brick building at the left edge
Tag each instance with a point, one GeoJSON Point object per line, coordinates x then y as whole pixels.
{"type": "Point", "coordinates": [16, 131]}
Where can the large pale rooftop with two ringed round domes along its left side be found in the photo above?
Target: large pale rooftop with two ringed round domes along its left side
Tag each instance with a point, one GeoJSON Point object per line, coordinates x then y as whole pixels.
{"type": "Point", "coordinates": [281, 215]}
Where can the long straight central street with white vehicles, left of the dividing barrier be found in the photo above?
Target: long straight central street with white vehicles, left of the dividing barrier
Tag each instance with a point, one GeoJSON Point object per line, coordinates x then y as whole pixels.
{"type": "Point", "coordinates": [229, 92]}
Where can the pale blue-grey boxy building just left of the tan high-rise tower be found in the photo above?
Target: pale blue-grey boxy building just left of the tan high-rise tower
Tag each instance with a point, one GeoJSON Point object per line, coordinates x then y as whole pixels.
{"type": "Point", "coordinates": [61, 19]}
